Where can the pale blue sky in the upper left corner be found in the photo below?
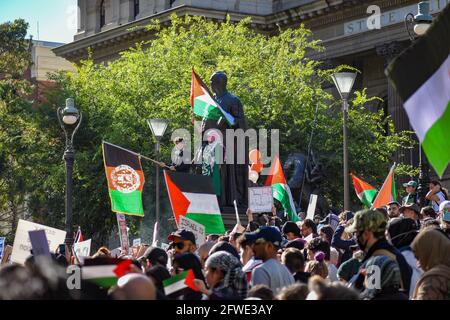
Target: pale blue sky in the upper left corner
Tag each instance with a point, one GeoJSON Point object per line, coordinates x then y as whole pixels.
{"type": "Point", "coordinates": [57, 18]}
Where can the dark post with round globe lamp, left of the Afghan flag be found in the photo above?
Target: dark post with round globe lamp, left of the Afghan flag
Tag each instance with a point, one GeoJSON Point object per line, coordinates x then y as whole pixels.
{"type": "Point", "coordinates": [69, 119]}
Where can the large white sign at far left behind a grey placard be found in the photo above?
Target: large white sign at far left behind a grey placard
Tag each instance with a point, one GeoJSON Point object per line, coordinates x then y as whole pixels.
{"type": "Point", "coordinates": [22, 244]}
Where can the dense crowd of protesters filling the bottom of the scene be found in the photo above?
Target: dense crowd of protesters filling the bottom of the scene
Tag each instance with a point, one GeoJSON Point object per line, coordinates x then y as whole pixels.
{"type": "Point", "coordinates": [397, 252]}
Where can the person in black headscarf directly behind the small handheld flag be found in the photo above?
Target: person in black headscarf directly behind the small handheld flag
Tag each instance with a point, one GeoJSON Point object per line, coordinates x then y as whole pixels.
{"type": "Point", "coordinates": [183, 262]}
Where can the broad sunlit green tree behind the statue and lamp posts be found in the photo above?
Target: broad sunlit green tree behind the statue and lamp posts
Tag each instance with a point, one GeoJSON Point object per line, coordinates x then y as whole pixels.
{"type": "Point", "coordinates": [279, 87]}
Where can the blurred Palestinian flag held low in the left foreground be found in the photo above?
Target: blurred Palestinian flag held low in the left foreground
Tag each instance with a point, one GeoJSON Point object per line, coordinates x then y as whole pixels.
{"type": "Point", "coordinates": [104, 271]}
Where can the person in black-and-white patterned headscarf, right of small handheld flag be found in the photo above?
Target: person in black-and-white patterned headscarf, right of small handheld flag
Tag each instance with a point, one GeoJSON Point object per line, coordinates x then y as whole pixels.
{"type": "Point", "coordinates": [225, 278]}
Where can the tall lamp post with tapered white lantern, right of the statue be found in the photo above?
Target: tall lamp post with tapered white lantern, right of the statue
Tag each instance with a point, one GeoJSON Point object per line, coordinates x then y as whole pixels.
{"type": "Point", "coordinates": [344, 82]}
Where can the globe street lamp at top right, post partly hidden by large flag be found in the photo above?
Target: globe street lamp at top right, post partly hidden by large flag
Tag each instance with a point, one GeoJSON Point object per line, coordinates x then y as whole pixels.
{"type": "Point", "coordinates": [420, 24]}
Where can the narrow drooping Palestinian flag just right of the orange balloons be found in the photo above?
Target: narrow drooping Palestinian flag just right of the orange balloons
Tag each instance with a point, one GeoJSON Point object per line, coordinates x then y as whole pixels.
{"type": "Point", "coordinates": [281, 190]}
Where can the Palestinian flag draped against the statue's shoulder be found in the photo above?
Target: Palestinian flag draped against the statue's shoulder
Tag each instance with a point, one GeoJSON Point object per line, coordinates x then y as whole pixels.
{"type": "Point", "coordinates": [203, 103]}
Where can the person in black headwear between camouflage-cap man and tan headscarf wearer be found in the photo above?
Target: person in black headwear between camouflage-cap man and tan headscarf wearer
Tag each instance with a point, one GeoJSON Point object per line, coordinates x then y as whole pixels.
{"type": "Point", "coordinates": [401, 233]}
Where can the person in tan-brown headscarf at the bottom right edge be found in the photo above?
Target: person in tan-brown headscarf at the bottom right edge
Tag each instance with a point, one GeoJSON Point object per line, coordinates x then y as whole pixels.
{"type": "Point", "coordinates": [432, 249]}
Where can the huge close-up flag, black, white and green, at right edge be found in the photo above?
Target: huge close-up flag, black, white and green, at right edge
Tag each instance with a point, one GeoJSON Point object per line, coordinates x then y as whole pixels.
{"type": "Point", "coordinates": [421, 76]}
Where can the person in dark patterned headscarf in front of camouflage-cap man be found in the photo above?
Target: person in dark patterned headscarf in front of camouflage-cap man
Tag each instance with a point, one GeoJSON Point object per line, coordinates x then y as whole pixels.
{"type": "Point", "coordinates": [383, 280]}
